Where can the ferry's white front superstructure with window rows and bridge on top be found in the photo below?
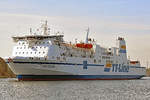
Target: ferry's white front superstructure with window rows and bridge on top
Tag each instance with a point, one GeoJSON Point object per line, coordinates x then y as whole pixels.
{"type": "Point", "coordinates": [34, 46]}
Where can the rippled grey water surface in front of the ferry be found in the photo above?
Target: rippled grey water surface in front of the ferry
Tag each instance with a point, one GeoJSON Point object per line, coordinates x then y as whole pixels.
{"type": "Point", "coordinates": [10, 89]}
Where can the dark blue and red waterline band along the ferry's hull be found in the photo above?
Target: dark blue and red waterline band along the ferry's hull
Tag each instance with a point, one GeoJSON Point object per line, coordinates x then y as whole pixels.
{"type": "Point", "coordinates": [76, 77]}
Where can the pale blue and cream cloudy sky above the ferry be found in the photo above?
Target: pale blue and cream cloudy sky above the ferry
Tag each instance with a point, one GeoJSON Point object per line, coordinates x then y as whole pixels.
{"type": "Point", "coordinates": [107, 20]}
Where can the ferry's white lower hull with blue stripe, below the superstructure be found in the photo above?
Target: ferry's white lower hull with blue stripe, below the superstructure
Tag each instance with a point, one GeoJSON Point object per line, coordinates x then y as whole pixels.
{"type": "Point", "coordinates": [70, 71]}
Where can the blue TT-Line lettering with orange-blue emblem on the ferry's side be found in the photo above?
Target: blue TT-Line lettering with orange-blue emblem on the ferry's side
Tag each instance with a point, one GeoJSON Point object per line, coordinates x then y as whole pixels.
{"type": "Point", "coordinates": [117, 68]}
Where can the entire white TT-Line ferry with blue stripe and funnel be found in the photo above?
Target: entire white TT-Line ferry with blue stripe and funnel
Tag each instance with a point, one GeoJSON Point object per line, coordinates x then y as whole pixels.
{"type": "Point", "coordinates": [47, 56]}
